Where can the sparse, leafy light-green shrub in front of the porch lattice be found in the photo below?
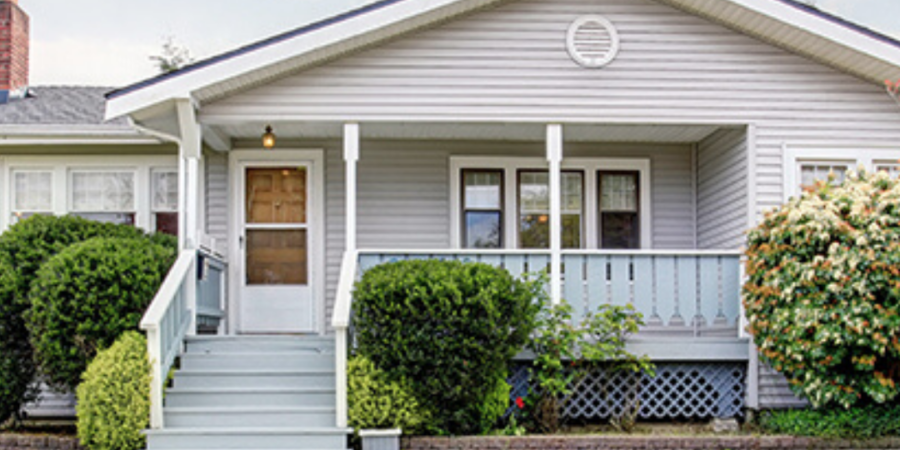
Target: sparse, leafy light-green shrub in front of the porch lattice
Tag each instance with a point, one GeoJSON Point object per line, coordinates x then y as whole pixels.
{"type": "Point", "coordinates": [565, 351]}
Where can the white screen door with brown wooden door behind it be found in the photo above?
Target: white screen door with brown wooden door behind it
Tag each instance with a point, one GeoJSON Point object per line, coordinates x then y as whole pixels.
{"type": "Point", "coordinates": [276, 295]}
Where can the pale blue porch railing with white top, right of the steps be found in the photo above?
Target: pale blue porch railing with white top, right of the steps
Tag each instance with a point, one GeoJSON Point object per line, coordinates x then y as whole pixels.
{"type": "Point", "coordinates": [690, 294]}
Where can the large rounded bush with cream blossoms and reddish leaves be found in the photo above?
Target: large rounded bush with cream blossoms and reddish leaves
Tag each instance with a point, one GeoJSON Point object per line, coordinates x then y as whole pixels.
{"type": "Point", "coordinates": [823, 291]}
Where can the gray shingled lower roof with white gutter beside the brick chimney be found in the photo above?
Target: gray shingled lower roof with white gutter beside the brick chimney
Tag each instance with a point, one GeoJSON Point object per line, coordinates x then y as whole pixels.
{"type": "Point", "coordinates": [64, 114]}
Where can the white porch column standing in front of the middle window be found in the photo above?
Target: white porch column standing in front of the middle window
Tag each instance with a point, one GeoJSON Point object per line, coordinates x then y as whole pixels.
{"type": "Point", "coordinates": [554, 157]}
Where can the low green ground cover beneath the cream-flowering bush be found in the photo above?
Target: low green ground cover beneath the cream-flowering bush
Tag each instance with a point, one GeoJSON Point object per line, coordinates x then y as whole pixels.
{"type": "Point", "coordinates": [864, 422]}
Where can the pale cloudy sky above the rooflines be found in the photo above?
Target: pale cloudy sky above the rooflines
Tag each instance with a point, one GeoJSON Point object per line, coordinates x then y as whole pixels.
{"type": "Point", "coordinates": [109, 42]}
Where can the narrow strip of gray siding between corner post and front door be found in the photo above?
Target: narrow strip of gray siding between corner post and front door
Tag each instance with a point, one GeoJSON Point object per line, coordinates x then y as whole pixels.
{"type": "Point", "coordinates": [217, 198]}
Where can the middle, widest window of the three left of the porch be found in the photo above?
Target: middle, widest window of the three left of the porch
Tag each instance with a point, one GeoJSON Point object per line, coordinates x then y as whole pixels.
{"type": "Point", "coordinates": [105, 196]}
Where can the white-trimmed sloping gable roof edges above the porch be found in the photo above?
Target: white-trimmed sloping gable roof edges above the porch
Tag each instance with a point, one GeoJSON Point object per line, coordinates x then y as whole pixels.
{"type": "Point", "coordinates": [784, 23]}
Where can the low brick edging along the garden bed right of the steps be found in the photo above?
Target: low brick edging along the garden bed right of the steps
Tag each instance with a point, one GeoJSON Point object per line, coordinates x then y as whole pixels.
{"type": "Point", "coordinates": [639, 443]}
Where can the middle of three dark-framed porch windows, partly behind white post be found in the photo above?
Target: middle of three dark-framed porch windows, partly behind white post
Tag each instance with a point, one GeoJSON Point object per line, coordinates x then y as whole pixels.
{"type": "Point", "coordinates": [534, 208]}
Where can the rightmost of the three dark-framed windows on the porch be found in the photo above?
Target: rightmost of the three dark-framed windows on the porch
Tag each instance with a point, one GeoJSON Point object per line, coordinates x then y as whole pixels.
{"type": "Point", "coordinates": [619, 214]}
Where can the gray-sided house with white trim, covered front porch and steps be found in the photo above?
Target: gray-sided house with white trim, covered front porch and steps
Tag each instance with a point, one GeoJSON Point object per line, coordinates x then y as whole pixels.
{"type": "Point", "coordinates": [622, 145]}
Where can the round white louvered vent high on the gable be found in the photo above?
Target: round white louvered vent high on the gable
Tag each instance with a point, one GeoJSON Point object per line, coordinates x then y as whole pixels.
{"type": "Point", "coordinates": [592, 41]}
